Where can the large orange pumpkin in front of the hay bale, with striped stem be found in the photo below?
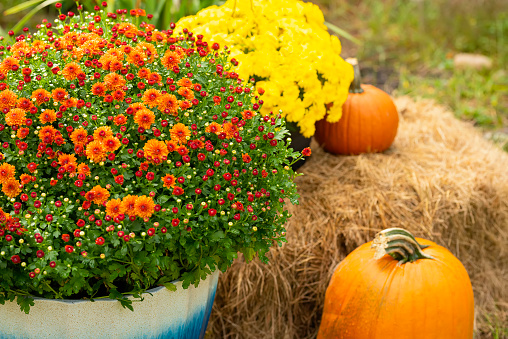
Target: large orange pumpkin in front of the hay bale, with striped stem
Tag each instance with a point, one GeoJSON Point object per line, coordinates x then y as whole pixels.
{"type": "Point", "coordinates": [399, 287]}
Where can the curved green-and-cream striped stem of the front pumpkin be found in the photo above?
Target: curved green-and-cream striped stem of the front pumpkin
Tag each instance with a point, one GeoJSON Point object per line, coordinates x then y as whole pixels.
{"type": "Point", "coordinates": [400, 244]}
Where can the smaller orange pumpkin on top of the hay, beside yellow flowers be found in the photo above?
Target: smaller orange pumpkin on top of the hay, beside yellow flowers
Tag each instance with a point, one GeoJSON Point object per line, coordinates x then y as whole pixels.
{"type": "Point", "coordinates": [369, 121]}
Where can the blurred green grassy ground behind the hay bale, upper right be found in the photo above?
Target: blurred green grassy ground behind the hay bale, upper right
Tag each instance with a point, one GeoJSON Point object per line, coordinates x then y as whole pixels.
{"type": "Point", "coordinates": [414, 41]}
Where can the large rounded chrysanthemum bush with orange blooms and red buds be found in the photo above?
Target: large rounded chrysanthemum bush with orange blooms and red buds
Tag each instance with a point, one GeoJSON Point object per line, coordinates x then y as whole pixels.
{"type": "Point", "coordinates": [131, 157]}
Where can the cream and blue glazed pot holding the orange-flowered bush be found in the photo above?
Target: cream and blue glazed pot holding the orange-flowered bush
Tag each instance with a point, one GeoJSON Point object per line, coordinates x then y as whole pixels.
{"type": "Point", "coordinates": [164, 314]}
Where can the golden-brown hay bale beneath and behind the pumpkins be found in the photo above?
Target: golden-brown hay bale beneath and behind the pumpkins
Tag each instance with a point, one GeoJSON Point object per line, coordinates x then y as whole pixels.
{"type": "Point", "coordinates": [440, 180]}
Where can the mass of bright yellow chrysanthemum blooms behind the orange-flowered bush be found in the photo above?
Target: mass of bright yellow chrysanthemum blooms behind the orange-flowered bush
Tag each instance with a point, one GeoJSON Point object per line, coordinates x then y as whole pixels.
{"type": "Point", "coordinates": [285, 45]}
